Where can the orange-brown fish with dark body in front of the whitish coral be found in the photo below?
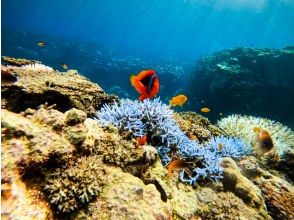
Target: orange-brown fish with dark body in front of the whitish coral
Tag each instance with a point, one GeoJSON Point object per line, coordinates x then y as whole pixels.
{"type": "Point", "coordinates": [264, 140]}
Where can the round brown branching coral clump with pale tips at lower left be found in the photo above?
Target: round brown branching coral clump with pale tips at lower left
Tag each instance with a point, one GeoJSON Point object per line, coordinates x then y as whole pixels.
{"type": "Point", "coordinates": [69, 189]}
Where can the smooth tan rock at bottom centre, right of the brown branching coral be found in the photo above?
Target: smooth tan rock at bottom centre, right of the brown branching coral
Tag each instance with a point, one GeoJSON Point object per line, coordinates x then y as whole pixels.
{"type": "Point", "coordinates": [126, 197]}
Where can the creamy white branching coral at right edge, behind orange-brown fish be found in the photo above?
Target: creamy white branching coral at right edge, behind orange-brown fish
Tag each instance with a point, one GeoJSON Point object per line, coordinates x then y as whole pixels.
{"type": "Point", "coordinates": [242, 127]}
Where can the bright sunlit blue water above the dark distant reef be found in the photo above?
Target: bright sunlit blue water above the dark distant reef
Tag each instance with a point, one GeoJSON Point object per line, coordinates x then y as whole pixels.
{"type": "Point", "coordinates": [181, 29]}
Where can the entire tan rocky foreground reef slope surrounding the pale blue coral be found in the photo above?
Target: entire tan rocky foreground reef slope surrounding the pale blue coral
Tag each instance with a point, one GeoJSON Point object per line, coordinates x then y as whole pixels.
{"type": "Point", "coordinates": [58, 163]}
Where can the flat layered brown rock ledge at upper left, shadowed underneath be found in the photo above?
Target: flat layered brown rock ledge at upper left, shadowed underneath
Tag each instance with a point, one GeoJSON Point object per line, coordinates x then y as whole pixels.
{"type": "Point", "coordinates": [37, 84]}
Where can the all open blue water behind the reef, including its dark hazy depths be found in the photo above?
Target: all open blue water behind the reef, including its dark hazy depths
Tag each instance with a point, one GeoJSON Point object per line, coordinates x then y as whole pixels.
{"type": "Point", "coordinates": [108, 40]}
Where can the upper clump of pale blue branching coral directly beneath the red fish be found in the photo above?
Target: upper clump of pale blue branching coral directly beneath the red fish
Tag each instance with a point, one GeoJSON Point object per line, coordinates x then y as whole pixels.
{"type": "Point", "coordinates": [148, 117]}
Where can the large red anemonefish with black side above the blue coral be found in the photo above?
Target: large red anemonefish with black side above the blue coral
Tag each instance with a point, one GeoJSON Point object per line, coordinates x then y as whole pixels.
{"type": "Point", "coordinates": [146, 83]}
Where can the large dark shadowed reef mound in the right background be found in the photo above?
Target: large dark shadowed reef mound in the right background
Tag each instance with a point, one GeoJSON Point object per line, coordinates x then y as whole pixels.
{"type": "Point", "coordinates": [253, 81]}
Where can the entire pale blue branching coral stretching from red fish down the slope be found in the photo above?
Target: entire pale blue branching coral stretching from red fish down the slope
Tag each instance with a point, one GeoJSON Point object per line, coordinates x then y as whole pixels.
{"type": "Point", "coordinates": [155, 119]}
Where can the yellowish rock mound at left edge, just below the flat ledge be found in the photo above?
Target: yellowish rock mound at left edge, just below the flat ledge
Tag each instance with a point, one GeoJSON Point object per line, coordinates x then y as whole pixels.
{"type": "Point", "coordinates": [30, 145]}
